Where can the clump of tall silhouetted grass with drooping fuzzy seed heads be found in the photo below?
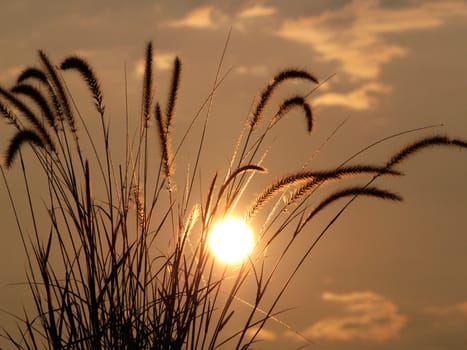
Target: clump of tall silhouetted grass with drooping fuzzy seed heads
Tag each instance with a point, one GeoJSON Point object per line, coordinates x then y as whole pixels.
{"type": "Point", "coordinates": [124, 261]}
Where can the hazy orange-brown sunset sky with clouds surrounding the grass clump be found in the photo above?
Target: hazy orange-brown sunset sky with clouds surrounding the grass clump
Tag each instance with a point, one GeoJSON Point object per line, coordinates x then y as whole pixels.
{"type": "Point", "coordinates": [387, 275]}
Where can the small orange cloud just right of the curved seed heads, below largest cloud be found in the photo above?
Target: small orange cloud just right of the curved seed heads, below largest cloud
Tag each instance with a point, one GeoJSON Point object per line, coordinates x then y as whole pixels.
{"type": "Point", "coordinates": [362, 98]}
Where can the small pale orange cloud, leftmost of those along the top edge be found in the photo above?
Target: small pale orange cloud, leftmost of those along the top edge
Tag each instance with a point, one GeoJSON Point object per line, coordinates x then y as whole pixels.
{"type": "Point", "coordinates": [202, 17]}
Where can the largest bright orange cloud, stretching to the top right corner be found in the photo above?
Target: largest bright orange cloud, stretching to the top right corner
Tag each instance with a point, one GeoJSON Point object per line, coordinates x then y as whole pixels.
{"type": "Point", "coordinates": [356, 36]}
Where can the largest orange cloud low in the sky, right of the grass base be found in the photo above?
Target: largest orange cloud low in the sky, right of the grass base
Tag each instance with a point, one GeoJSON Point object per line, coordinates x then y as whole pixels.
{"type": "Point", "coordinates": [367, 316]}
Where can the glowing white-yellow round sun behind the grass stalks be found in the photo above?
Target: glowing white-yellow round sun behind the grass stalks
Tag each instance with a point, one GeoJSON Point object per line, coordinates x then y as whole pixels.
{"type": "Point", "coordinates": [231, 240]}
